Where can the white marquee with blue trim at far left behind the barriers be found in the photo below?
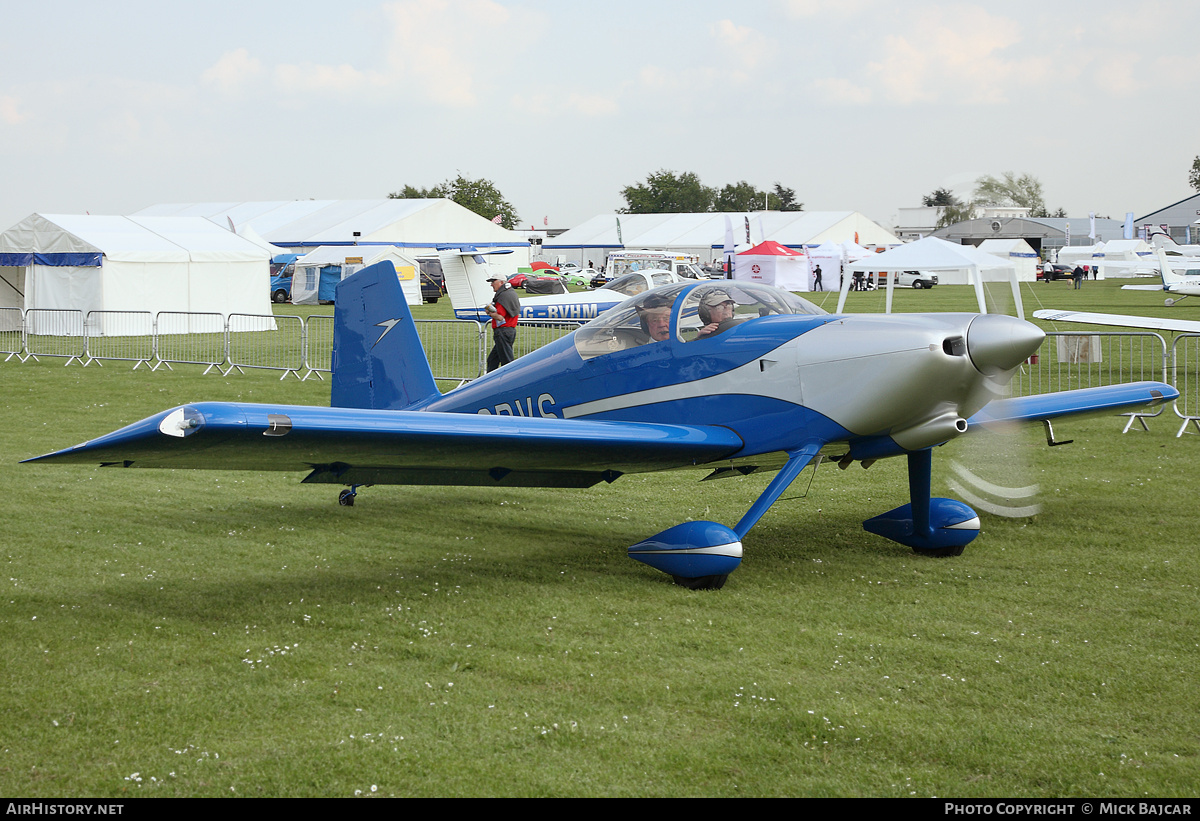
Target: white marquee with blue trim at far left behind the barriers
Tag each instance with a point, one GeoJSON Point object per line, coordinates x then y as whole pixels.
{"type": "Point", "coordinates": [115, 263]}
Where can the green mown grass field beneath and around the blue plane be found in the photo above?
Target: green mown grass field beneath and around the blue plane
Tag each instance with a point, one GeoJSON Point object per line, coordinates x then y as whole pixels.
{"type": "Point", "coordinates": [241, 634]}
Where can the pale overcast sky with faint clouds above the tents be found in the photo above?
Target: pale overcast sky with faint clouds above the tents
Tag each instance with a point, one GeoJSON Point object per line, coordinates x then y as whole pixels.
{"type": "Point", "coordinates": [857, 105]}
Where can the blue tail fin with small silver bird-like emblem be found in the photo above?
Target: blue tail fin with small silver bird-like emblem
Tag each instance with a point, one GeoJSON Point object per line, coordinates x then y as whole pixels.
{"type": "Point", "coordinates": [379, 361]}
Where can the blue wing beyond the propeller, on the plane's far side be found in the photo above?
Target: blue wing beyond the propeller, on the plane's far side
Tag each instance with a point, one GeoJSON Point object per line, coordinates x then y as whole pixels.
{"type": "Point", "coordinates": [1135, 397]}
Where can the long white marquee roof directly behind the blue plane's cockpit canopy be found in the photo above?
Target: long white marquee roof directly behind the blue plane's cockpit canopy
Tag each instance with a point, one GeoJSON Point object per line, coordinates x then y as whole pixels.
{"type": "Point", "coordinates": [707, 231]}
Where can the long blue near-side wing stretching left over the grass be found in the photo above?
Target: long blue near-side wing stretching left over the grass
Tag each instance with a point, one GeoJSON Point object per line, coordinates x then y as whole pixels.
{"type": "Point", "coordinates": [363, 447]}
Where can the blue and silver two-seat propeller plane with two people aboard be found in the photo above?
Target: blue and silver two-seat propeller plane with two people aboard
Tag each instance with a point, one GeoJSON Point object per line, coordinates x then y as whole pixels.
{"type": "Point", "coordinates": [746, 377]}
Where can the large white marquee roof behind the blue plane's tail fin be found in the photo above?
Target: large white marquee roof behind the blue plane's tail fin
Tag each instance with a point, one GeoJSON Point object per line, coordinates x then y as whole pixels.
{"type": "Point", "coordinates": [412, 223]}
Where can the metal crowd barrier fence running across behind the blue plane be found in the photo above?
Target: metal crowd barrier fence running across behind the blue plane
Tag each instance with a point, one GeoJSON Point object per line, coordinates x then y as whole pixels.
{"type": "Point", "coordinates": [458, 350]}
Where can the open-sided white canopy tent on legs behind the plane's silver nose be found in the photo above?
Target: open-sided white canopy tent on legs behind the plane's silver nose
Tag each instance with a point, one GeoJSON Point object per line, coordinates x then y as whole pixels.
{"type": "Point", "coordinates": [967, 263]}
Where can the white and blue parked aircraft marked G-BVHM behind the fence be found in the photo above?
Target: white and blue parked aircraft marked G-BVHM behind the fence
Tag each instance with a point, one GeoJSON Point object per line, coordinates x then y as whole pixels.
{"type": "Point", "coordinates": [467, 272]}
